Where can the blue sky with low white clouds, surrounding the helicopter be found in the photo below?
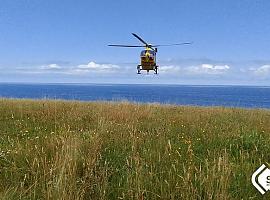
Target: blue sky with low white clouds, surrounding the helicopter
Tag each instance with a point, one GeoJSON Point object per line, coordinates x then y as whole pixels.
{"type": "Point", "coordinates": [65, 41]}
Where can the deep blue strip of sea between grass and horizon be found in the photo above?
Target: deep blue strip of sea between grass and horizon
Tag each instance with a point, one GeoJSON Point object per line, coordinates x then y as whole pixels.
{"type": "Point", "coordinates": [195, 95]}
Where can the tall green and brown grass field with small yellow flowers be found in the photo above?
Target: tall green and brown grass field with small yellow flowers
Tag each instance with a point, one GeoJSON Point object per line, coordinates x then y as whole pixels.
{"type": "Point", "coordinates": [100, 150]}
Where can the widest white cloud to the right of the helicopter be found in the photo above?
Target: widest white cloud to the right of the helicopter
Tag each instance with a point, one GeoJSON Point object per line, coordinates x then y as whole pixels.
{"type": "Point", "coordinates": [208, 69]}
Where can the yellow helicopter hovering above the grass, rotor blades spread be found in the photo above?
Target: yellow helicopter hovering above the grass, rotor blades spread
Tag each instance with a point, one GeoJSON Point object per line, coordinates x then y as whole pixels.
{"type": "Point", "coordinates": [148, 56]}
